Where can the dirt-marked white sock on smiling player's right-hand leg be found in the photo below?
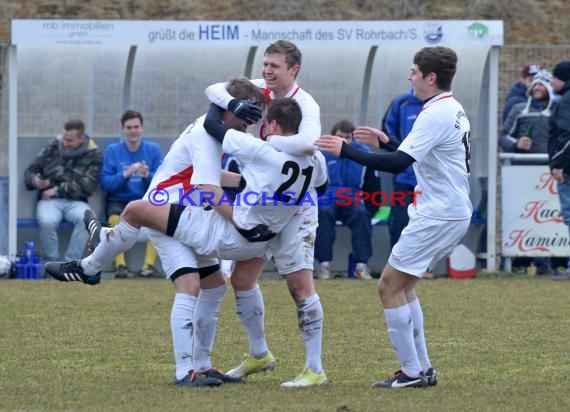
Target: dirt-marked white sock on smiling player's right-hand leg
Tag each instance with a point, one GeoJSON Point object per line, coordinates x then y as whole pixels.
{"type": "Point", "coordinates": [310, 315]}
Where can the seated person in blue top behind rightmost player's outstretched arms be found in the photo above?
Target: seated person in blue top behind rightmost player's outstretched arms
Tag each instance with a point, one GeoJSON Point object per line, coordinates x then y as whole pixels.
{"type": "Point", "coordinates": [348, 177]}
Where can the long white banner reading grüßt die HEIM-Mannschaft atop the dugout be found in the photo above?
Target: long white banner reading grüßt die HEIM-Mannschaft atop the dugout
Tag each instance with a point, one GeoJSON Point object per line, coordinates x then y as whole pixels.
{"type": "Point", "coordinates": [165, 32]}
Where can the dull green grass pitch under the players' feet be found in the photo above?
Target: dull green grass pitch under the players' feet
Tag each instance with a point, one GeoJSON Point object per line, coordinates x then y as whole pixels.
{"type": "Point", "coordinates": [497, 343]}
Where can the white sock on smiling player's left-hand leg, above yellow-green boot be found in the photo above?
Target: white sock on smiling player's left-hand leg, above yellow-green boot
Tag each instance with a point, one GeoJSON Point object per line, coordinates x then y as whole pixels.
{"type": "Point", "coordinates": [251, 311]}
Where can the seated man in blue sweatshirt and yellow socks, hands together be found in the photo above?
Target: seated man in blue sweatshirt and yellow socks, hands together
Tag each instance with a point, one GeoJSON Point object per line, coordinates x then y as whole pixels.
{"type": "Point", "coordinates": [128, 169]}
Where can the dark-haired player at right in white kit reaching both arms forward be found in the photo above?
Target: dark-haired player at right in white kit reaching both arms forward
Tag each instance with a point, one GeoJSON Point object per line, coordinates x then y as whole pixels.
{"type": "Point", "coordinates": [439, 148]}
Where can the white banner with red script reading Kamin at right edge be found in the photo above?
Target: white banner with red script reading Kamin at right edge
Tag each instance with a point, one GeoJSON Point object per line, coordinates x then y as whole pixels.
{"type": "Point", "coordinates": [531, 221]}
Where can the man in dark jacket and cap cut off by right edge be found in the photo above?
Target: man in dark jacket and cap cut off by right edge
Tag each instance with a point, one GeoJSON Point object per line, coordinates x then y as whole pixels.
{"type": "Point", "coordinates": [559, 142]}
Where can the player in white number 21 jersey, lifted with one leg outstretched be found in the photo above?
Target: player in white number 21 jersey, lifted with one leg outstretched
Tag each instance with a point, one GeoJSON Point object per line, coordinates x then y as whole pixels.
{"type": "Point", "coordinates": [207, 232]}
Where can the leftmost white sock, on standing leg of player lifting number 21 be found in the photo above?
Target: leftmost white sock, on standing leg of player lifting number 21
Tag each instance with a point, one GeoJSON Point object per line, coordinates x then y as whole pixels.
{"type": "Point", "coordinates": [182, 332]}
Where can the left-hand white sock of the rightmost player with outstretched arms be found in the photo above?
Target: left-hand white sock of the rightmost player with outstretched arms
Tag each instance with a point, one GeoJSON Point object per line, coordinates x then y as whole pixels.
{"type": "Point", "coordinates": [400, 331]}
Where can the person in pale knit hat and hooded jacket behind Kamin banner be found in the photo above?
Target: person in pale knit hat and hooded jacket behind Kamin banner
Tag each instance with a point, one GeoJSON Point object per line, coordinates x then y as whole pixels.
{"type": "Point", "coordinates": [526, 131]}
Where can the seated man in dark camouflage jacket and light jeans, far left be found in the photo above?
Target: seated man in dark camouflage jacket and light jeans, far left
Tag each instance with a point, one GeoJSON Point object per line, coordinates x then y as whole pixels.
{"type": "Point", "coordinates": [65, 174]}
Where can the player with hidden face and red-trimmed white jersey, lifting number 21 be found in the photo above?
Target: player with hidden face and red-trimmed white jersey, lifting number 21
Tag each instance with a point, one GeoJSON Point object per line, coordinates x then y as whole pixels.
{"type": "Point", "coordinates": [188, 272]}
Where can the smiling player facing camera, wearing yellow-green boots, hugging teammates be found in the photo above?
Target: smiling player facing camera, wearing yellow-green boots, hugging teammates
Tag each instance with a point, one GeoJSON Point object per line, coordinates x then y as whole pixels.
{"type": "Point", "coordinates": [281, 65]}
